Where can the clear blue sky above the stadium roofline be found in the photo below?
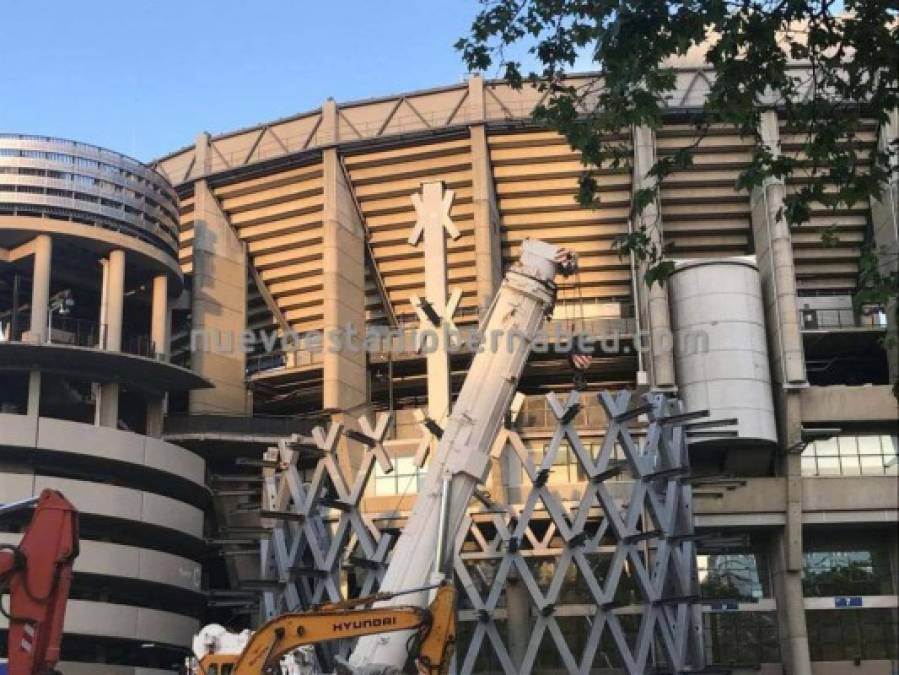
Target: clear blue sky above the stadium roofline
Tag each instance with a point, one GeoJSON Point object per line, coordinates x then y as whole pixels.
{"type": "Point", "coordinates": [145, 77]}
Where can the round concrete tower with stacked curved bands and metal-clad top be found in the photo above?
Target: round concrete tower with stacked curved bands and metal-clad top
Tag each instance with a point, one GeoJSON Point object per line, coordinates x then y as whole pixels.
{"type": "Point", "coordinates": [88, 269]}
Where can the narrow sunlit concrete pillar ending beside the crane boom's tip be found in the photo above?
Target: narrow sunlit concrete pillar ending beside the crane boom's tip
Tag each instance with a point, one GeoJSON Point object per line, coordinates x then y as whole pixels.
{"type": "Point", "coordinates": [487, 248]}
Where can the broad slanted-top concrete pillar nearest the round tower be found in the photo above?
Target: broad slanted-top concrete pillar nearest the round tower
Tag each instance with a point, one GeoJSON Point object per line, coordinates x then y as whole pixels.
{"type": "Point", "coordinates": [218, 309]}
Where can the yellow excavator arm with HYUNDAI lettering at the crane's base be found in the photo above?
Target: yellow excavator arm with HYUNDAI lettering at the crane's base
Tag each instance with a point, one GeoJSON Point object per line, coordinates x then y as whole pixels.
{"type": "Point", "coordinates": [431, 645]}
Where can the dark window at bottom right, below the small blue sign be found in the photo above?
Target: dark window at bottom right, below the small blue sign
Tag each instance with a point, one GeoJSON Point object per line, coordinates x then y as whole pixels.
{"type": "Point", "coordinates": [848, 634]}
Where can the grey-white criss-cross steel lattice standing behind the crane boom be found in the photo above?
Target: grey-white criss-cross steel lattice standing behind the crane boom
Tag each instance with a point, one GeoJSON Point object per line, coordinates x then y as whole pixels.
{"type": "Point", "coordinates": [320, 539]}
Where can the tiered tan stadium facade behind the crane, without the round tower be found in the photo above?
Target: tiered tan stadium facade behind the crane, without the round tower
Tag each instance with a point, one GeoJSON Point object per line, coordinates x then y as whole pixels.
{"type": "Point", "coordinates": [305, 227]}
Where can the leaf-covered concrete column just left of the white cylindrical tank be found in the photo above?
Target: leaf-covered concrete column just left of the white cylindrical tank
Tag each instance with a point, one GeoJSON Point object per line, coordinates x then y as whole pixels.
{"type": "Point", "coordinates": [652, 303]}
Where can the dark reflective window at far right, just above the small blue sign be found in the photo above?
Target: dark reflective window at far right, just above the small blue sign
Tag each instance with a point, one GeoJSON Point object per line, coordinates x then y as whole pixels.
{"type": "Point", "coordinates": [846, 569]}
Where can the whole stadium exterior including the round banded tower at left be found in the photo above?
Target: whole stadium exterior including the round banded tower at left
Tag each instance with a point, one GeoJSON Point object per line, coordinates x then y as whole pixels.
{"type": "Point", "coordinates": [301, 227]}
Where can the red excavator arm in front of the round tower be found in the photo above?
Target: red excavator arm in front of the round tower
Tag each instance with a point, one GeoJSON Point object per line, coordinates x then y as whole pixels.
{"type": "Point", "coordinates": [38, 574]}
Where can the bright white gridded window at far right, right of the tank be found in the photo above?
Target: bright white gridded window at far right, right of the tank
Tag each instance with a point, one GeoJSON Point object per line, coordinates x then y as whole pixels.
{"type": "Point", "coordinates": [863, 455]}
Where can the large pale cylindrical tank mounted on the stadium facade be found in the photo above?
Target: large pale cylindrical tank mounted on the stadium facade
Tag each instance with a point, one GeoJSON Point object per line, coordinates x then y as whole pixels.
{"type": "Point", "coordinates": [720, 349]}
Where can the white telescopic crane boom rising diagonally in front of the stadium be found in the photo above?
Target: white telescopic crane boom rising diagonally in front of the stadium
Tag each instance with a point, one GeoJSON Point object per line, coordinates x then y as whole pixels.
{"type": "Point", "coordinates": [461, 459]}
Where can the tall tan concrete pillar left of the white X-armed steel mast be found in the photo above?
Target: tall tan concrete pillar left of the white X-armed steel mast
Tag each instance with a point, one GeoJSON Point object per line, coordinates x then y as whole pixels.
{"type": "Point", "coordinates": [345, 377]}
